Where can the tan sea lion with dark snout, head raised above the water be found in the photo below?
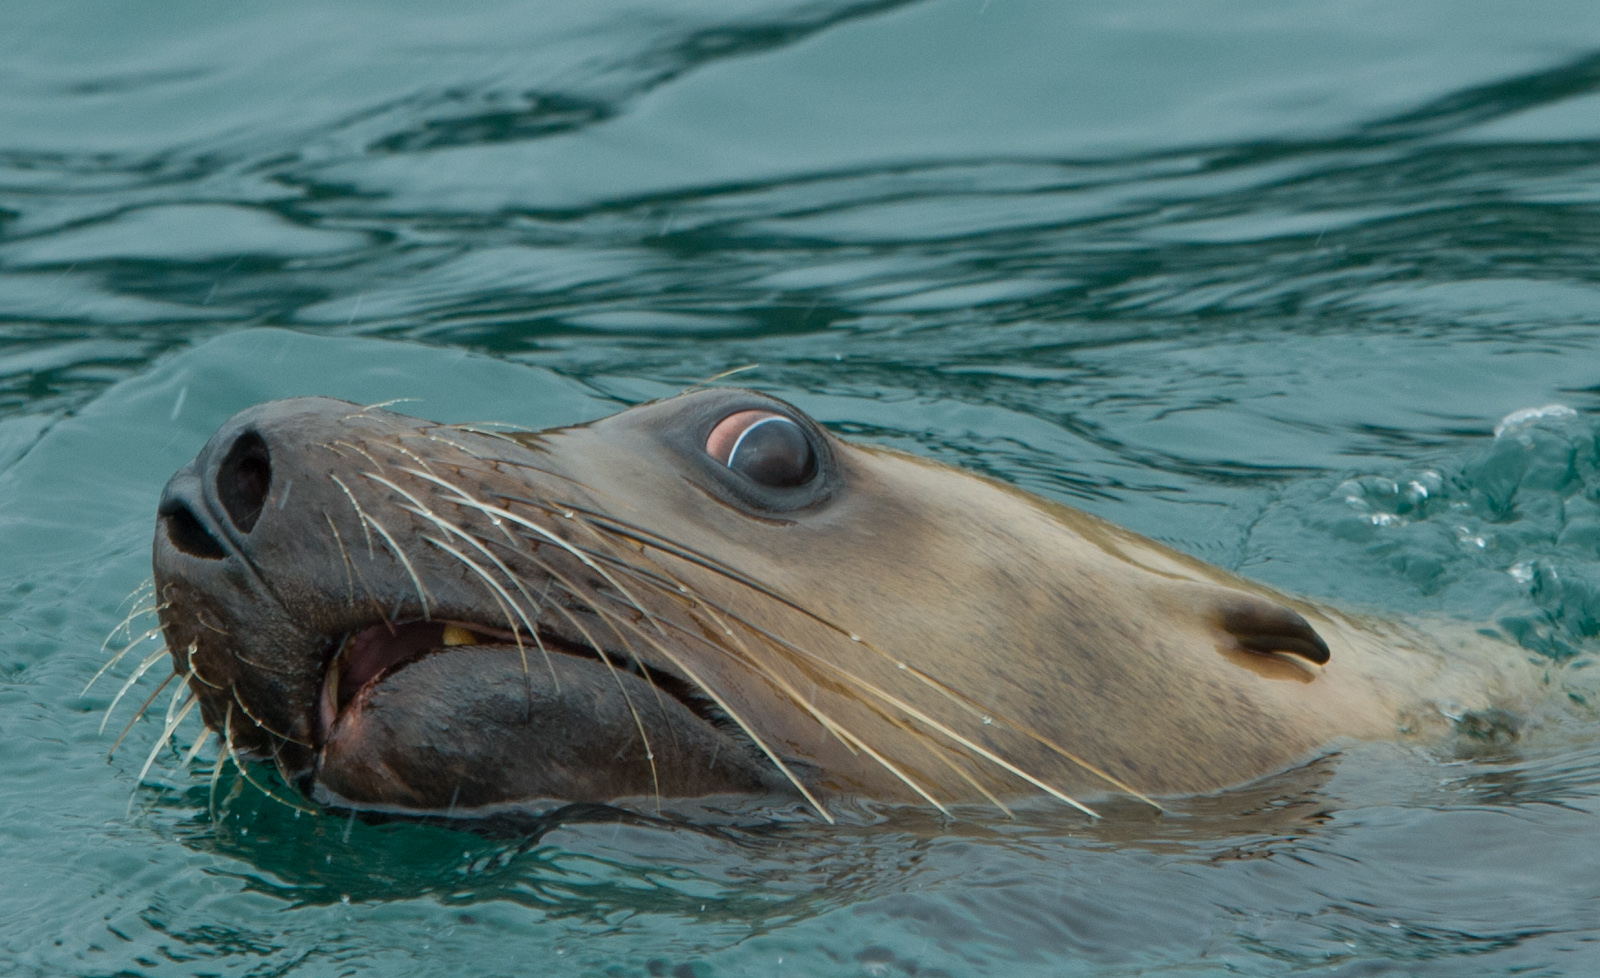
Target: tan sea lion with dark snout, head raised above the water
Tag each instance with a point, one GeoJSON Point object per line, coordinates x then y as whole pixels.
{"type": "Point", "coordinates": [713, 595]}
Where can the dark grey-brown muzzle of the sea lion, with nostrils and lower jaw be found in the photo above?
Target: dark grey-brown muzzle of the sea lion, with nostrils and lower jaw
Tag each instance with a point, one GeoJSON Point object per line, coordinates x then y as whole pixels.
{"type": "Point", "coordinates": [382, 673]}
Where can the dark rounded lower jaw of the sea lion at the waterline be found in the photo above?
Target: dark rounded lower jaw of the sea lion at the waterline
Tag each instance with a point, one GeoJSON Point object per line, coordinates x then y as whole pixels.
{"type": "Point", "coordinates": [481, 726]}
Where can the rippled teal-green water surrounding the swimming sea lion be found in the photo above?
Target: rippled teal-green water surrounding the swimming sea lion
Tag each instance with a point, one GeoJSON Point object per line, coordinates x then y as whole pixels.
{"type": "Point", "coordinates": [1257, 281]}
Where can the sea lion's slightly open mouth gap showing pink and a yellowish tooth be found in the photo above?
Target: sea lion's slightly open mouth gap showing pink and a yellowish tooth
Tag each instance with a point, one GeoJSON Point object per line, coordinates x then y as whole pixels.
{"type": "Point", "coordinates": [366, 659]}
